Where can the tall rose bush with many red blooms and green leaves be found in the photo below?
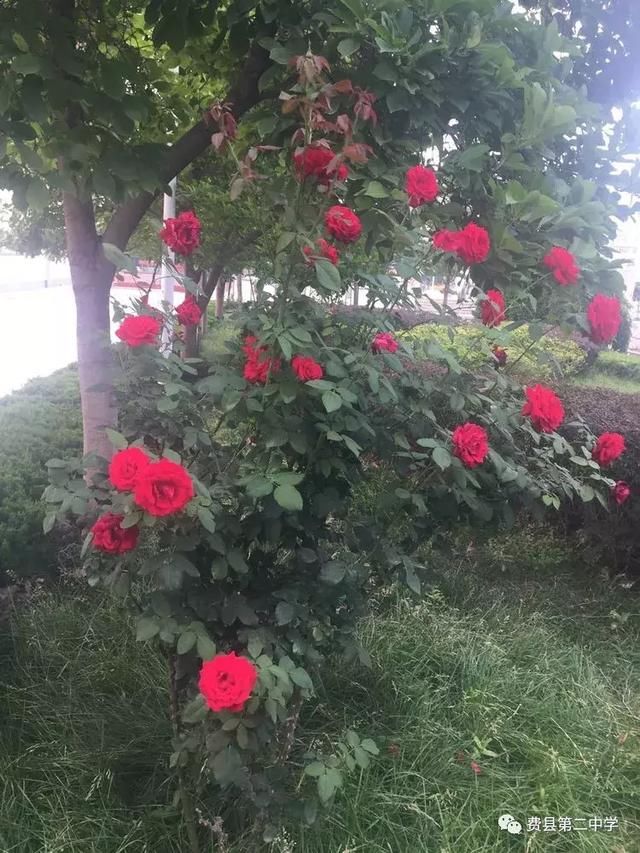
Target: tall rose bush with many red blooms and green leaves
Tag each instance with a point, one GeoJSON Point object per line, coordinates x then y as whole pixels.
{"type": "Point", "coordinates": [247, 569]}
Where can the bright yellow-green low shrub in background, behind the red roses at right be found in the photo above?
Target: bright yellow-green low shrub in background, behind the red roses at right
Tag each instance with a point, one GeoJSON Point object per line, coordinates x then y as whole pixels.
{"type": "Point", "coordinates": [551, 357]}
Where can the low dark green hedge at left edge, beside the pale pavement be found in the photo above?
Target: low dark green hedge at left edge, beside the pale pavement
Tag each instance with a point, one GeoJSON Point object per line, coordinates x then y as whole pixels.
{"type": "Point", "coordinates": [39, 422]}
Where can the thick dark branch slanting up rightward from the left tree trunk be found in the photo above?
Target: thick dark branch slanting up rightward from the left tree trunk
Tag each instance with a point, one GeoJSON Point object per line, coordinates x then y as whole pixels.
{"type": "Point", "coordinates": [243, 95]}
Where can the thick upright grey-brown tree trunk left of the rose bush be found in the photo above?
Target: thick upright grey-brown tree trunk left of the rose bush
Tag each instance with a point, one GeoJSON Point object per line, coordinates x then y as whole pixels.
{"type": "Point", "coordinates": [91, 276]}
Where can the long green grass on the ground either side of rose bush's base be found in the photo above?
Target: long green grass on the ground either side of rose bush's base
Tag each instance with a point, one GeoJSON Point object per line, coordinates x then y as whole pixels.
{"type": "Point", "coordinates": [517, 659]}
